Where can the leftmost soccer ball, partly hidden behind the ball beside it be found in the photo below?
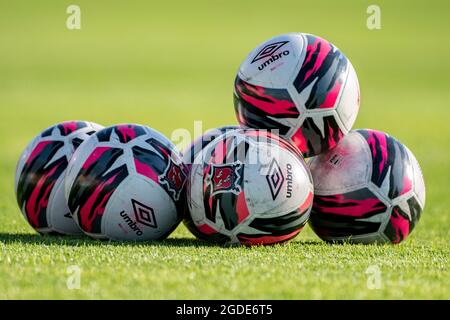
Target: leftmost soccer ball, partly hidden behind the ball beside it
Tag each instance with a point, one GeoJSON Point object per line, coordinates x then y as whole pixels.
{"type": "Point", "coordinates": [39, 180]}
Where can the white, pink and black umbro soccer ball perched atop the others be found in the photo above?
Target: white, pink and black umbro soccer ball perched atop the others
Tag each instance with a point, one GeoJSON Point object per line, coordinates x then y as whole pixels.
{"type": "Point", "coordinates": [300, 85]}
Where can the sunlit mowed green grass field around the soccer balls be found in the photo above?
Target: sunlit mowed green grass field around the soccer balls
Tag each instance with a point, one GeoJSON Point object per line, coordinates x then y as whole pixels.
{"type": "Point", "coordinates": [170, 63]}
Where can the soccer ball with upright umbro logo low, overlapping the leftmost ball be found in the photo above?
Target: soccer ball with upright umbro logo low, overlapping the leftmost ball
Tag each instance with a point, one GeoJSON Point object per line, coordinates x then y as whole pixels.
{"type": "Point", "coordinates": [125, 183]}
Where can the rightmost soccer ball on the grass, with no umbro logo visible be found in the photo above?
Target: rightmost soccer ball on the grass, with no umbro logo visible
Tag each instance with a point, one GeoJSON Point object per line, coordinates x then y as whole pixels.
{"type": "Point", "coordinates": [368, 189]}
